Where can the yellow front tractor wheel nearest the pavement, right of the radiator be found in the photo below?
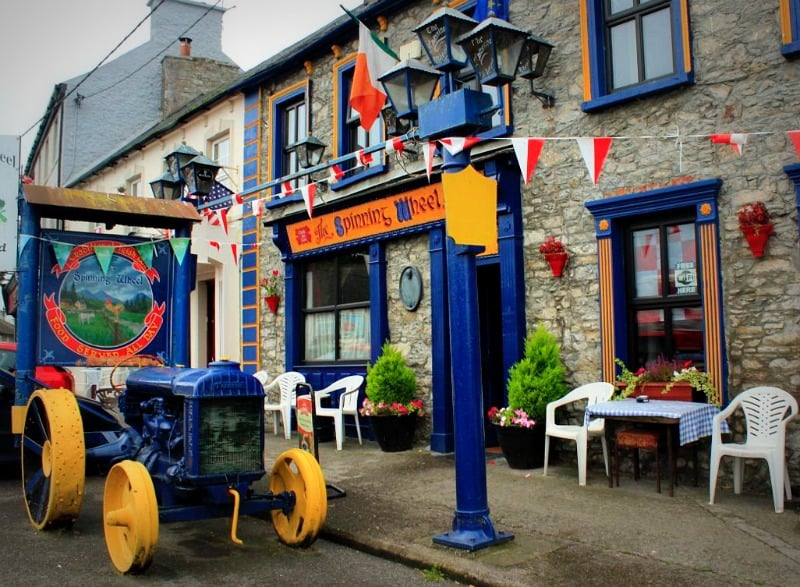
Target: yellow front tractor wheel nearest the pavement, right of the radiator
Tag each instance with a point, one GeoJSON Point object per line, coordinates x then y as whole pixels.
{"type": "Point", "coordinates": [298, 472]}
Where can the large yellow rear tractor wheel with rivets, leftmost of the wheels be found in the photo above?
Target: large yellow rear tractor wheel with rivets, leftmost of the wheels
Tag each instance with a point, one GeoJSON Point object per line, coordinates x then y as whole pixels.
{"type": "Point", "coordinates": [53, 458]}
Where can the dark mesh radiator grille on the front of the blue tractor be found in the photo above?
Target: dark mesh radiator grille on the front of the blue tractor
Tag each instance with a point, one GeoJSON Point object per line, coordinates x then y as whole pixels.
{"type": "Point", "coordinates": [230, 437]}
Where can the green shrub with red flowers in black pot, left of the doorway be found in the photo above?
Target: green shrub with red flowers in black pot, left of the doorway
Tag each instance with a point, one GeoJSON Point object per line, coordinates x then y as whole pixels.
{"type": "Point", "coordinates": [391, 406]}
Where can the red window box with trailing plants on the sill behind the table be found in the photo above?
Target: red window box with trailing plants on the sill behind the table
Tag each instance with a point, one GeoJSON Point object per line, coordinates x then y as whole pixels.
{"type": "Point", "coordinates": [666, 379]}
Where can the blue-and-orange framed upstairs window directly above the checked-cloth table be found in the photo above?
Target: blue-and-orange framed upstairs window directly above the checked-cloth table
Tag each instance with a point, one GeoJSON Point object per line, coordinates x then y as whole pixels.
{"type": "Point", "coordinates": [634, 48]}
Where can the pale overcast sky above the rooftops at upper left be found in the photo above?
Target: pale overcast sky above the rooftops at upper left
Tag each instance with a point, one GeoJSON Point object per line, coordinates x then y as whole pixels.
{"type": "Point", "coordinates": [45, 42]}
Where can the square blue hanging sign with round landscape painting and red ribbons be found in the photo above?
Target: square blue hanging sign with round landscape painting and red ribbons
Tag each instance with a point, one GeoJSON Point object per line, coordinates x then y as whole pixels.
{"type": "Point", "coordinates": [103, 298]}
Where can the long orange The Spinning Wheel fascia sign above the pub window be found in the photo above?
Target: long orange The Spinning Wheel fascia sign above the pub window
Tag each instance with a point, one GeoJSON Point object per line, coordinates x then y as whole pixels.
{"type": "Point", "coordinates": [409, 209]}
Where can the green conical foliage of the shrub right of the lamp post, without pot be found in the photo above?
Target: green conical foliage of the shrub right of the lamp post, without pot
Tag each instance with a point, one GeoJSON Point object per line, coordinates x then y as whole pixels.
{"type": "Point", "coordinates": [537, 378]}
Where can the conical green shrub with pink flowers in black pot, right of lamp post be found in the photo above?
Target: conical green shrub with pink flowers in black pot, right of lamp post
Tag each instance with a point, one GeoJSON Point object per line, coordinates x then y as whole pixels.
{"type": "Point", "coordinates": [533, 382]}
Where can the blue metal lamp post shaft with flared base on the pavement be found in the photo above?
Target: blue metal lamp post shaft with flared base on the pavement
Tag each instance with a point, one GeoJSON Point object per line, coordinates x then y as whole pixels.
{"type": "Point", "coordinates": [472, 528]}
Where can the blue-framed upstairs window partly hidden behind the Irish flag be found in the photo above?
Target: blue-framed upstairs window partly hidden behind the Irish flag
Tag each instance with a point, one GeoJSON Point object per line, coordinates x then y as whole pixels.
{"type": "Point", "coordinates": [350, 136]}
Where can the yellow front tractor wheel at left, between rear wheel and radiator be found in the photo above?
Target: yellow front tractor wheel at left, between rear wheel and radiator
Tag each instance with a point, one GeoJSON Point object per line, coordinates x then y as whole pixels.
{"type": "Point", "coordinates": [130, 517]}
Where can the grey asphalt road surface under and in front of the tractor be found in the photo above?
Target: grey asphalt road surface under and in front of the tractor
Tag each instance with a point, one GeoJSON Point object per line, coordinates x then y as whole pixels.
{"type": "Point", "coordinates": [188, 553]}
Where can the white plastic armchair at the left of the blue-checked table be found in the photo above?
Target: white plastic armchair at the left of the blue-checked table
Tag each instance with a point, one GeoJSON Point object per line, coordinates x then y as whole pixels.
{"type": "Point", "coordinates": [591, 393]}
